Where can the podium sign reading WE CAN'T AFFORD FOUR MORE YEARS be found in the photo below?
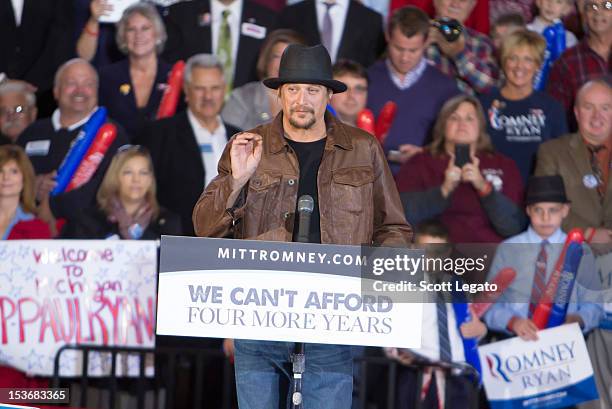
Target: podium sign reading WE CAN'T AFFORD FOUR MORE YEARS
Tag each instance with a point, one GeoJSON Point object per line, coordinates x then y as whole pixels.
{"type": "Point", "coordinates": [277, 292]}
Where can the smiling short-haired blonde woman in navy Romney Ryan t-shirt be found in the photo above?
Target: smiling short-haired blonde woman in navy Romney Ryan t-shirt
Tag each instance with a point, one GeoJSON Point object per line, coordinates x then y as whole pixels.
{"type": "Point", "coordinates": [520, 117]}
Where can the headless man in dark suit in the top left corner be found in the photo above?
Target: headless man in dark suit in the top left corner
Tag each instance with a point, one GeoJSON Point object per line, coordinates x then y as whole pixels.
{"type": "Point", "coordinates": [36, 39]}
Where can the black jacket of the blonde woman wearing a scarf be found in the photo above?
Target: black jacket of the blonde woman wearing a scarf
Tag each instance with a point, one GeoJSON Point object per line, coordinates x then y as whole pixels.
{"type": "Point", "coordinates": [93, 223]}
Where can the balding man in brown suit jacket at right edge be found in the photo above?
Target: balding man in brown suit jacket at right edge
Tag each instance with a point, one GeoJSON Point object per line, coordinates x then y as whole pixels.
{"type": "Point", "coordinates": [583, 160]}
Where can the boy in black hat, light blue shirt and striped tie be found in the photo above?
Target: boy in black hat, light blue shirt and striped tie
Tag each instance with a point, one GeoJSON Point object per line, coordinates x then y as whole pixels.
{"type": "Point", "coordinates": [533, 254]}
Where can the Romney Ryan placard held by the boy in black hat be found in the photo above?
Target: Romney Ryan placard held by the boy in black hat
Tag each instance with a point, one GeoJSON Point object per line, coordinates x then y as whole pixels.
{"type": "Point", "coordinates": [553, 372]}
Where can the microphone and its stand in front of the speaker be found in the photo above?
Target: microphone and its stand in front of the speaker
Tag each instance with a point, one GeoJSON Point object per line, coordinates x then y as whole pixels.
{"type": "Point", "coordinates": [298, 358]}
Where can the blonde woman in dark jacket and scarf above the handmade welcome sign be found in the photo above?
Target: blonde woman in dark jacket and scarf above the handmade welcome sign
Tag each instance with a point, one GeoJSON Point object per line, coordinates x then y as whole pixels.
{"type": "Point", "coordinates": [127, 205]}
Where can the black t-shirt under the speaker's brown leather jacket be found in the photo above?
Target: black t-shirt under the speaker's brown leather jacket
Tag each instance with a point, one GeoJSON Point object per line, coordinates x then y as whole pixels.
{"type": "Point", "coordinates": [309, 156]}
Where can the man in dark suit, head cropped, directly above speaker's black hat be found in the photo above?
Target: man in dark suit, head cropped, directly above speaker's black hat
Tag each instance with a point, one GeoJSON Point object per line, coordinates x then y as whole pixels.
{"type": "Point", "coordinates": [347, 28]}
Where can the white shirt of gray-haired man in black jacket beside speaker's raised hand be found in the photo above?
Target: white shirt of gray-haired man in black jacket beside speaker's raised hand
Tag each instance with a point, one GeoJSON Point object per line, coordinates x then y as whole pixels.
{"type": "Point", "coordinates": [211, 145]}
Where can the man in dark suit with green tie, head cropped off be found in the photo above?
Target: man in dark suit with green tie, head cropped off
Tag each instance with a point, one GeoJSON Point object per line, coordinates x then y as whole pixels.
{"type": "Point", "coordinates": [234, 30]}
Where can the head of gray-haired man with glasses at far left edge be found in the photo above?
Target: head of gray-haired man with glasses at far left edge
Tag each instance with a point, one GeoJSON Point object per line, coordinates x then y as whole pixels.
{"type": "Point", "coordinates": [17, 109]}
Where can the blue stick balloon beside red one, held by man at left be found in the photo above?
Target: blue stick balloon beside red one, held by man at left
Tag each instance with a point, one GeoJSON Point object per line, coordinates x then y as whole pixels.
{"type": "Point", "coordinates": [77, 150]}
